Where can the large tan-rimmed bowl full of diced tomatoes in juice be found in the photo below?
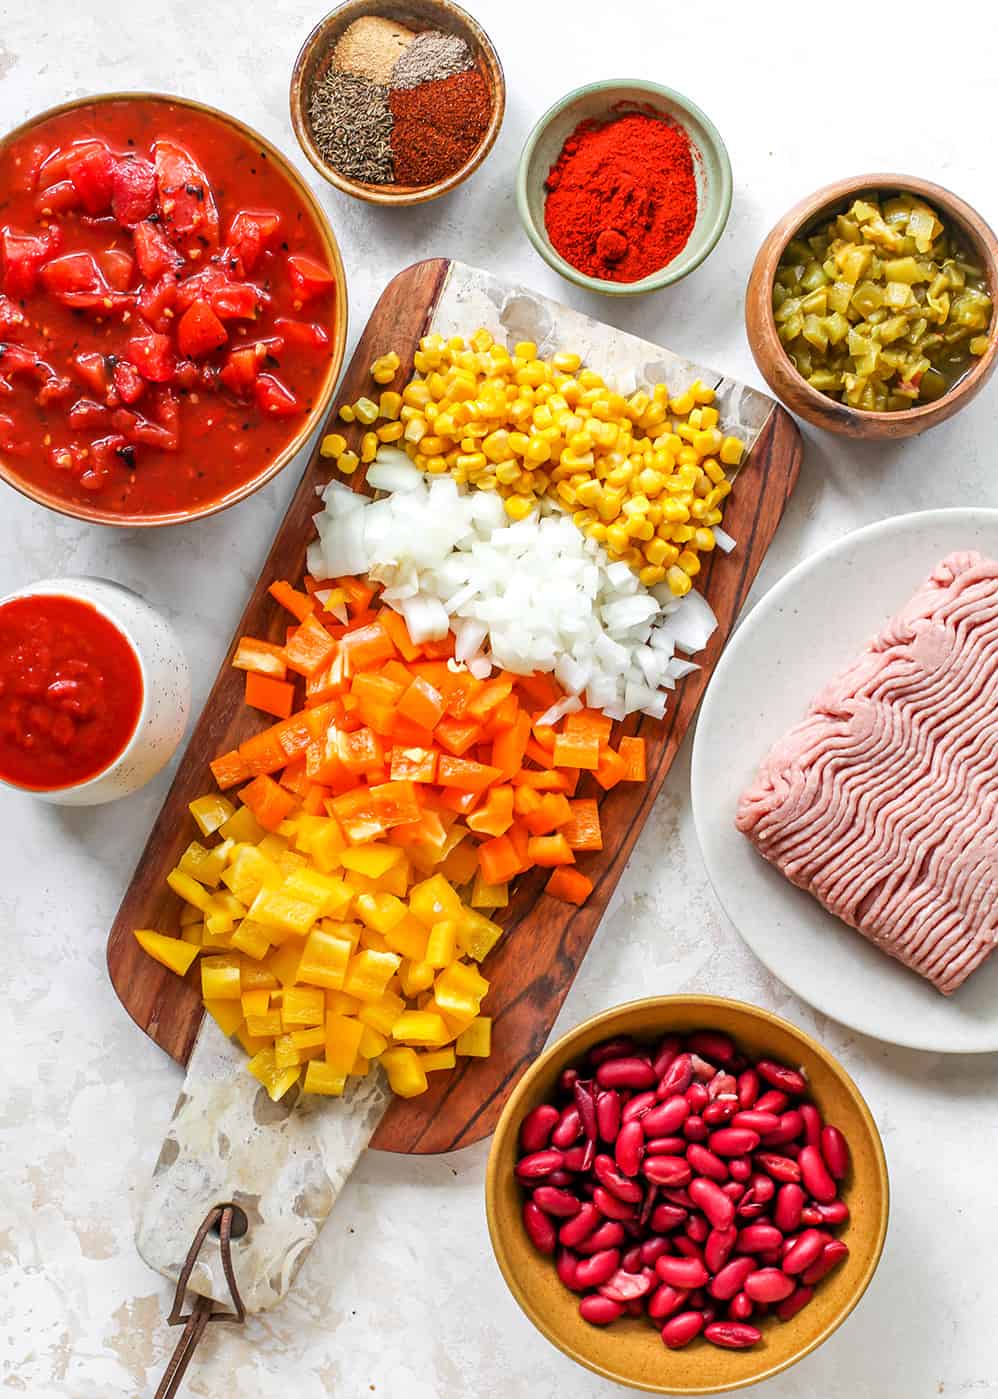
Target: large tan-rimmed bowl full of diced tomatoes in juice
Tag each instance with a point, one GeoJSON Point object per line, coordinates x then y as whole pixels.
{"type": "Point", "coordinates": [173, 310]}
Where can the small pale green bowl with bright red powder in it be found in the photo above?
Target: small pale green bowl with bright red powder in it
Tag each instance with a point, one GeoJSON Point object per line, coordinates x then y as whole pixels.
{"type": "Point", "coordinates": [624, 187]}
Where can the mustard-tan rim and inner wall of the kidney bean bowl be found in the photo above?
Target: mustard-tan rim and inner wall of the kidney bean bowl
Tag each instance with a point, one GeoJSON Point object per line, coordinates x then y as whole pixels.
{"type": "Point", "coordinates": [565, 1047]}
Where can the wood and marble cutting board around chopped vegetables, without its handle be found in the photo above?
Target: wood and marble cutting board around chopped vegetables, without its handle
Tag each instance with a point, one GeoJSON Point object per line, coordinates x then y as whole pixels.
{"type": "Point", "coordinates": [534, 965]}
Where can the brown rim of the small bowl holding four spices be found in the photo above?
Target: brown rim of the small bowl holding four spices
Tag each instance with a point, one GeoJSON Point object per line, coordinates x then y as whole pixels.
{"type": "Point", "coordinates": [397, 195]}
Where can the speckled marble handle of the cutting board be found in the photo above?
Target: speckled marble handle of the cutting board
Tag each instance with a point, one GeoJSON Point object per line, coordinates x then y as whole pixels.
{"type": "Point", "coordinates": [282, 1163]}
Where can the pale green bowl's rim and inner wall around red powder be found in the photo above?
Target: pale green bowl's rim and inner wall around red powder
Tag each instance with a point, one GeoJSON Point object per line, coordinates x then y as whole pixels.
{"type": "Point", "coordinates": [668, 275]}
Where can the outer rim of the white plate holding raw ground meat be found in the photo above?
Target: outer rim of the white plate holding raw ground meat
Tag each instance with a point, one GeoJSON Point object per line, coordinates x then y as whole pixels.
{"type": "Point", "coordinates": [743, 637]}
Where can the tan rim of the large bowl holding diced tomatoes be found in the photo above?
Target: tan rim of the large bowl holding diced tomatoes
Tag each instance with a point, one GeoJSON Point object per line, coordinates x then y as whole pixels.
{"type": "Point", "coordinates": [92, 514]}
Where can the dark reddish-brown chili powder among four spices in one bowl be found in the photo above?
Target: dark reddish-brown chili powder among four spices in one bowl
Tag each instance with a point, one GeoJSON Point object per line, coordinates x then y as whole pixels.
{"type": "Point", "coordinates": [439, 127]}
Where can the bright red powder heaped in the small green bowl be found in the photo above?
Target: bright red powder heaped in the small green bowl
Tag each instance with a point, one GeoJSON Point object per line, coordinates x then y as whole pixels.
{"type": "Point", "coordinates": [622, 197]}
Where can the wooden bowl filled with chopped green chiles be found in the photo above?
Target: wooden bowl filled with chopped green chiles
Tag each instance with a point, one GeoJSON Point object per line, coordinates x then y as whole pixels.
{"type": "Point", "coordinates": [870, 308]}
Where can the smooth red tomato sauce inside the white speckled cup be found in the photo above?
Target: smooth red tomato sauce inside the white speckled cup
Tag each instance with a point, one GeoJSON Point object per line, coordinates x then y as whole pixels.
{"type": "Point", "coordinates": [71, 692]}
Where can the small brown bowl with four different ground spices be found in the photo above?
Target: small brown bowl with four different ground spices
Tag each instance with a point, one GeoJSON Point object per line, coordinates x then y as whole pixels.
{"type": "Point", "coordinates": [397, 104]}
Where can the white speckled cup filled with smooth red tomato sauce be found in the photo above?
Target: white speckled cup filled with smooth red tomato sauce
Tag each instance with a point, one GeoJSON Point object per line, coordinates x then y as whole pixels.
{"type": "Point", "coordinates": [94, 692]}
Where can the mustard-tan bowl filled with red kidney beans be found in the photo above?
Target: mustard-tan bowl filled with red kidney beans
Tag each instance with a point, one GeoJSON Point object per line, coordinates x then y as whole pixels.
{"type": "Point", "coordinates": [688, 1195]}
